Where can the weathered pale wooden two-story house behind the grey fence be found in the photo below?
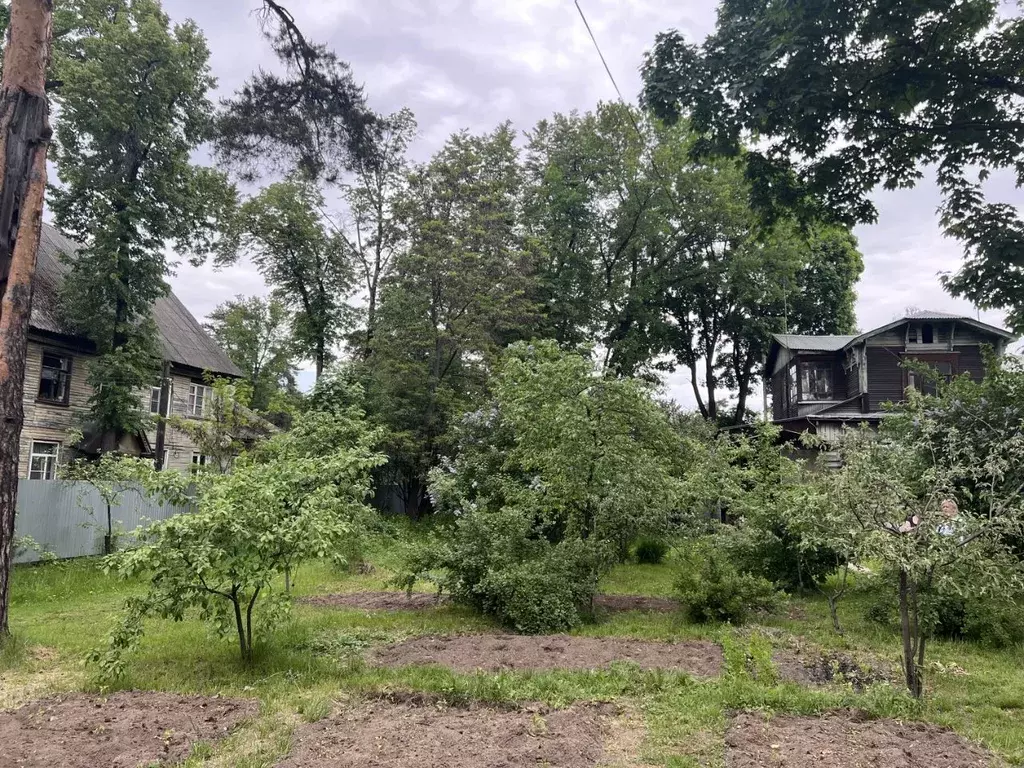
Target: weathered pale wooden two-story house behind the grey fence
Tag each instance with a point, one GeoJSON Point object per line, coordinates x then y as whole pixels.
{"type": "Point", "coordinates": [57, 391]}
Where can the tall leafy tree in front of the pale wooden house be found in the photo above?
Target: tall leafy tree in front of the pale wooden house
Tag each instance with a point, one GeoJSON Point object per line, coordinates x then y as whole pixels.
{"type": "Point", "coordinates": [133, 108]}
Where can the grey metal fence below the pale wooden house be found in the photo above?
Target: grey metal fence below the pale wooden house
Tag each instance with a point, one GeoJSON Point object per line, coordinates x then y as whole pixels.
{"type": "Point", "coordinates": [69, 520]}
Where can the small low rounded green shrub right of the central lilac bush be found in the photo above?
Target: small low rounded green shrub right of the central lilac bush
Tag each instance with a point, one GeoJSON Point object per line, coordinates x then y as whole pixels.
{"type": "Point", "coordinates": [712, 589]}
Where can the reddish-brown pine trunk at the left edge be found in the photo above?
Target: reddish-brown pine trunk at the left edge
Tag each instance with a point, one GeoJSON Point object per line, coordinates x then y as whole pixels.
{"type": "Point", "coordinates": [25, 134]}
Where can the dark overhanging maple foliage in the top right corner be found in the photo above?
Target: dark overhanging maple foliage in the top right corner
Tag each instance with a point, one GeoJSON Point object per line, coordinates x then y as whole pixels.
{"type": "Point", "coordinates": [852, 97]}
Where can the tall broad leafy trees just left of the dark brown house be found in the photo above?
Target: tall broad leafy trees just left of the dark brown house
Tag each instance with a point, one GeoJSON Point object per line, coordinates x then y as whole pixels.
{"type": "Point", "coordinates": [646, 267]}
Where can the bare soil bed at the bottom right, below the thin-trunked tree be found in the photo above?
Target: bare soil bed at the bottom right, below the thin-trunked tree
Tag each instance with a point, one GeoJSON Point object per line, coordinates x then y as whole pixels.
{"type": "Point", "coordinates": [844, 740]}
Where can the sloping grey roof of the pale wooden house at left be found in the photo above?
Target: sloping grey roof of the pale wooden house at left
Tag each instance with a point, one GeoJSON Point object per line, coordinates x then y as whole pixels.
{"type": "Point", "coordinates": [182, 337]}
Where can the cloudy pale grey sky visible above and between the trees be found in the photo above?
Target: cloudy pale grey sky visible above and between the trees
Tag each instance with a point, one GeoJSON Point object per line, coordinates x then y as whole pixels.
{"type": "Point", "coordinates": [473, 64]}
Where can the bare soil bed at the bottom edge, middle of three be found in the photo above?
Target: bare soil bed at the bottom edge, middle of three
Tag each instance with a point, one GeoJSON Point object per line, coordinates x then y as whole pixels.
{"type": "Point", "coordinates": [428, 735]}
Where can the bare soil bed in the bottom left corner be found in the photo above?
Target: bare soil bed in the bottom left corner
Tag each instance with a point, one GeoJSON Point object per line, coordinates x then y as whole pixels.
{"type": "Point", "coordinates": [124, 731]}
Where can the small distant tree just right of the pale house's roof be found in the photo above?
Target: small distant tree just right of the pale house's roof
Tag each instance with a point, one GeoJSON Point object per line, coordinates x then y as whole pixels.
{"type": "Point", "coordinates": [257, 334]}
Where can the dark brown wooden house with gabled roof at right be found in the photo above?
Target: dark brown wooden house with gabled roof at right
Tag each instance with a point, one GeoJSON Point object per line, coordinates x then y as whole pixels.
{"type": "Point", "coordinates": [822, 383]}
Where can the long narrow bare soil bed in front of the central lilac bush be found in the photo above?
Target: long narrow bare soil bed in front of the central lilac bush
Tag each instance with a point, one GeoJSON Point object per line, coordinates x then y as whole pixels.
{"type": "Point", "coordinates": [497, 653]}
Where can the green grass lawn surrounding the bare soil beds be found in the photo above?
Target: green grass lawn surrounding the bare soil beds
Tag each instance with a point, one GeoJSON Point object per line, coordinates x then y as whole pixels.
{"type": "Point", "coordinates": [317, 664]}
